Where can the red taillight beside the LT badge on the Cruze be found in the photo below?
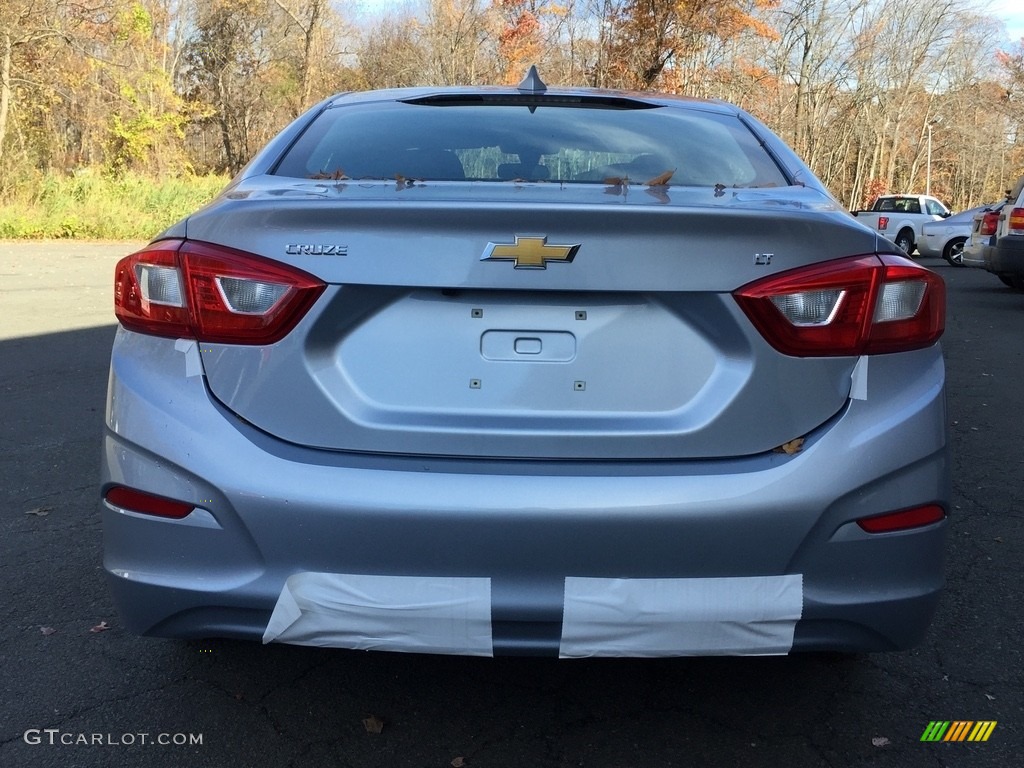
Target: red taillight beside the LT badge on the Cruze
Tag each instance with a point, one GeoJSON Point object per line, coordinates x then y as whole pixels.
{"type": "Point", "coordinates": [859, 306]}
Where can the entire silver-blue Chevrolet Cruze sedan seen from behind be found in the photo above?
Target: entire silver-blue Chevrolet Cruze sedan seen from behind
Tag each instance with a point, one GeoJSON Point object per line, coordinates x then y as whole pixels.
{"type": "Point", "coordinates": [527, 371]}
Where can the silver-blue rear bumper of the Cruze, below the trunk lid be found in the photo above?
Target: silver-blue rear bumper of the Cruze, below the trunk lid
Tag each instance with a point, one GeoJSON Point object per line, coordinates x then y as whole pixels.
{"type": "Point", "coordinates": [268, 511]}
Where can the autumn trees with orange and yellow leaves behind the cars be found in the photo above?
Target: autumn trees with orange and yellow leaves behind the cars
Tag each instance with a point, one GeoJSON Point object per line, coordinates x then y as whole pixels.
{"type": "Point", "coordinates": [166, 89]}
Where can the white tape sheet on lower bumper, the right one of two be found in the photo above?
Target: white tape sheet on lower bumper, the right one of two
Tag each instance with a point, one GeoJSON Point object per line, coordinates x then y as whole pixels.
{"type": "Point", "coordinates": [753, 616]}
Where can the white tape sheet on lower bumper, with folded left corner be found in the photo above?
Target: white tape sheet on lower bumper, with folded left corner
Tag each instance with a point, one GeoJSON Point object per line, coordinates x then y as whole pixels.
{"type": "Point", "coordinates": [420, 615]}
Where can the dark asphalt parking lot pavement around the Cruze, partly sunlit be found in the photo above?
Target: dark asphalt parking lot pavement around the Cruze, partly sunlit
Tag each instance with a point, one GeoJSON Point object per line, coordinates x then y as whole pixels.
{"type": "Point", "coordinates": [73, 697]}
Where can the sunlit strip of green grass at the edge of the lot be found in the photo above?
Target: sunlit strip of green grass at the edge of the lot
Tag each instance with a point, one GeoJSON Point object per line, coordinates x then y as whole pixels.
{"type": "Point", "coordinates": [90, 205]}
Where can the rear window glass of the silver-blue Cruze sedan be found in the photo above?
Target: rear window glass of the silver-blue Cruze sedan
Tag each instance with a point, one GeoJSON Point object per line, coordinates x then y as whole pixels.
{"type": "Point", "coordinates": [503, 143]}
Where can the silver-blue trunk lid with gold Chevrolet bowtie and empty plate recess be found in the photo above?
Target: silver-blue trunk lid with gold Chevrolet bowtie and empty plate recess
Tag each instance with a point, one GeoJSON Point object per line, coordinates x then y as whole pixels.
{"type": "Point", "coordinates": [627, 345]}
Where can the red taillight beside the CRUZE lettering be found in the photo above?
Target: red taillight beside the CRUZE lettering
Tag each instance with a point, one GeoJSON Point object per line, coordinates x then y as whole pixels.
{"type": "Point", "coordinates": [187, 289]}
